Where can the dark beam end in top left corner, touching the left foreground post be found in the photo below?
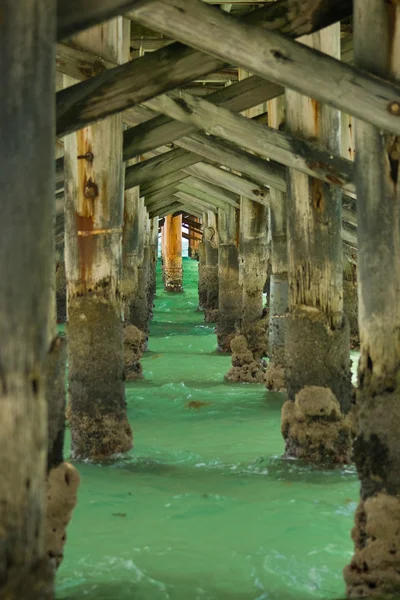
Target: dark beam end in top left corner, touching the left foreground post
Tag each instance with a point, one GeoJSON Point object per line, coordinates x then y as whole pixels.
{"type": "Point", "coordinates": [74, 16]}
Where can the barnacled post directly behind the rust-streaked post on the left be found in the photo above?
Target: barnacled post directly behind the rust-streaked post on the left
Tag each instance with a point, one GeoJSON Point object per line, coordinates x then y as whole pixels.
{"type": "Point", "coordinates": [132, 294]}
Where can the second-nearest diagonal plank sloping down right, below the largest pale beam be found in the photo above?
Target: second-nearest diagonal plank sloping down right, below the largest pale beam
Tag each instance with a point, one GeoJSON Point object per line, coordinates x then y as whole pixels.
{"type": "Point", "coordinates": [300, 154]}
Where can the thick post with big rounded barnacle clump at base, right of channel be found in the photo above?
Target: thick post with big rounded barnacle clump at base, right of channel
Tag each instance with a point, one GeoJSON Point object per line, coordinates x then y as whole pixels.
{"type": "Point", "coordinates": [315, 422]}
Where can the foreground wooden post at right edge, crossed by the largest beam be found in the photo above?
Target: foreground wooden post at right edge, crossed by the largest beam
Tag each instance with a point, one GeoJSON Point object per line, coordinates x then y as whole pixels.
{"type": "Point", "coordinates": [375, 567]}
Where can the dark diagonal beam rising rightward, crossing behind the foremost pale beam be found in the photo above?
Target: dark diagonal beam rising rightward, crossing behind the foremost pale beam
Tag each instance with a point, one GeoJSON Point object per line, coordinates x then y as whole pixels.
{"type": "Point", "coordinates": [175, 64]}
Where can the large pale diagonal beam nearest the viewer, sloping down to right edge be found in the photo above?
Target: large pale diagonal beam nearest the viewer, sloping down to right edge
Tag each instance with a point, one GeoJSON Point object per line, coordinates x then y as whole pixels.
{"type": "Point", "coordinates": [282, 60]}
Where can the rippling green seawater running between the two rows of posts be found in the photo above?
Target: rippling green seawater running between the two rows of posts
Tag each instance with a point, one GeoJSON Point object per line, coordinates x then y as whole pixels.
{"type": "Point", "coordinates": [203, 507]}
